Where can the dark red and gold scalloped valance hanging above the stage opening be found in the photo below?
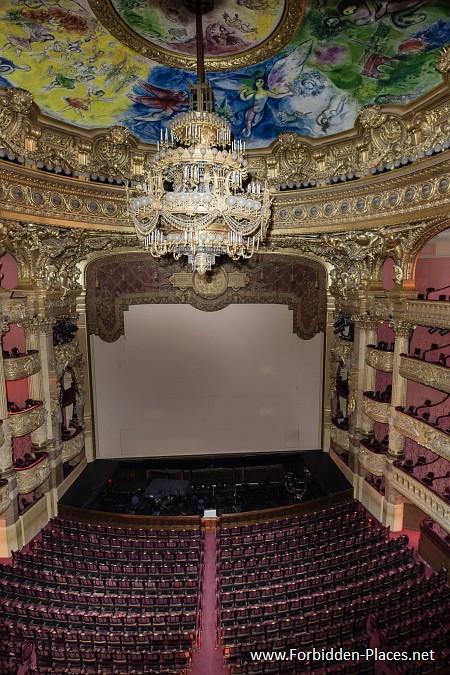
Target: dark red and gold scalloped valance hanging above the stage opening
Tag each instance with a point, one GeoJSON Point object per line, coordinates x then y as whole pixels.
{"type": "Point", "coordinates": [114, 283]}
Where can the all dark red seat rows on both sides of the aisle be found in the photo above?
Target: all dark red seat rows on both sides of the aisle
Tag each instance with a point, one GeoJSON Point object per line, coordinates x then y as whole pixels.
{"type": "Point", "coordinates": [93, 599]}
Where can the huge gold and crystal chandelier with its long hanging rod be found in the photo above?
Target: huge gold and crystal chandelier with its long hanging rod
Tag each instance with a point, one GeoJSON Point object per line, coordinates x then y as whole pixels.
{"type": "Point", "coordinates": [197, 199]}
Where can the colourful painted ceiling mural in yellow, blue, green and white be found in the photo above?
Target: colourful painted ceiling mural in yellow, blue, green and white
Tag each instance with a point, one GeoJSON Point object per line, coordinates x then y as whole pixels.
{"type": "Point", "coordinates": [346, 54]}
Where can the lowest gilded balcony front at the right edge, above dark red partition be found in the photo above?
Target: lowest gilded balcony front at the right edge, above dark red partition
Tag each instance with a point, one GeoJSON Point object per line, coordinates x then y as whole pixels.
{"type": "Point", "coordinates": [424, 498]}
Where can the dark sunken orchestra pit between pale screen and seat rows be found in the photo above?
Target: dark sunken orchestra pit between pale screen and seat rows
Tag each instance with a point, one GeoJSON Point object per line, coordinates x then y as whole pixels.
{"type": "Point", "coordinates": [228, 484]}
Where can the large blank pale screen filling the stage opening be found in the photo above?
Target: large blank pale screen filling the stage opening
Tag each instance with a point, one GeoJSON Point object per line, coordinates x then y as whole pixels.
{"type": "Point", "coordinates": [186, 382]}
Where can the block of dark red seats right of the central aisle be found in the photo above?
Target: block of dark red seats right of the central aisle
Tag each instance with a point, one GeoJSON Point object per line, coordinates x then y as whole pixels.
{"type": "Point", "coordinates": [315, 582]}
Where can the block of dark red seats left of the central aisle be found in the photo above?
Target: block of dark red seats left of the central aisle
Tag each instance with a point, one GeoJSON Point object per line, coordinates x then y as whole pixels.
{"type": "Point", "coordinates": [96, 599]}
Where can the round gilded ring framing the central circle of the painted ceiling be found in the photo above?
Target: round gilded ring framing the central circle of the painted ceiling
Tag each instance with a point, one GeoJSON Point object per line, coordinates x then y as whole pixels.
{"type": "Point", "coordinates": [272, 44]}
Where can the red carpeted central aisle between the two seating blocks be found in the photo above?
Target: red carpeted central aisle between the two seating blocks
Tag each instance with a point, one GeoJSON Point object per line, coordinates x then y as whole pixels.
{"type": "Point", "coordinates": [208, 660]}
